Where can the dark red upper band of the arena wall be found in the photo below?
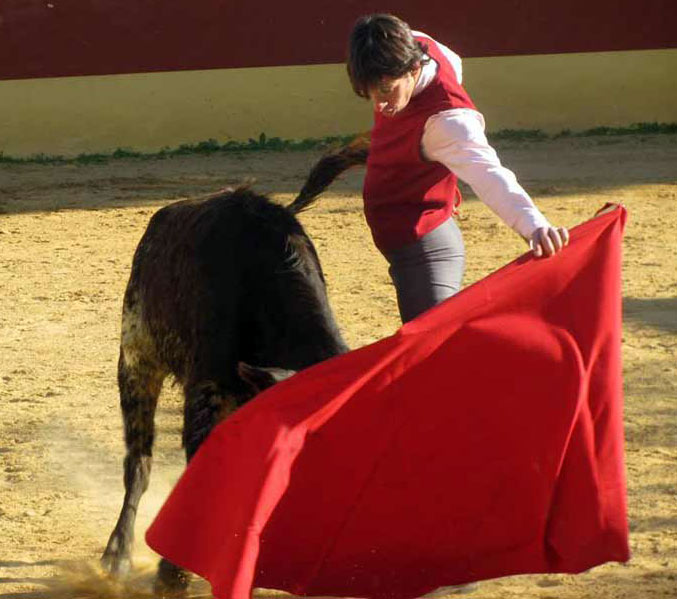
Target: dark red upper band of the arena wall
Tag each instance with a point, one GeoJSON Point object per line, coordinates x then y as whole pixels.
{"type": "Point", "coordinates": [49, 38]}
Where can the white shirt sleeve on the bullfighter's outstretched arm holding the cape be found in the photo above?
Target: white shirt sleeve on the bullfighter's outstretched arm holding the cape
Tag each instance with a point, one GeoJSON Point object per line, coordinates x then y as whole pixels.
{"type": "Point", "coordinates": [456, 138]}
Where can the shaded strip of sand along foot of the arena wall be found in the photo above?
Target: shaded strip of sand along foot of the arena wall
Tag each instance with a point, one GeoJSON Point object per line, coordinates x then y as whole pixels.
{"type": "Point", "coordinates": [547, 169]}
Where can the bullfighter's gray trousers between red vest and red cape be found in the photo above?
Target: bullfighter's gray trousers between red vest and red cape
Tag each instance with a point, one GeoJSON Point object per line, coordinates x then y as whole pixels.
{"type": "Point", "coordinates": [427, 271]}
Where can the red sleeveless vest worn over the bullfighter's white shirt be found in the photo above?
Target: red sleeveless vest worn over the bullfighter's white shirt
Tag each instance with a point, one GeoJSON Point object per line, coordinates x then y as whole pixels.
{"type": "Point", "coordinates": [405, 196]}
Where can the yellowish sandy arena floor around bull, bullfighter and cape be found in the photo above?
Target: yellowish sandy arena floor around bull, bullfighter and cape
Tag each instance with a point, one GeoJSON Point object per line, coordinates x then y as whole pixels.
{"type": "Point", "coordinates": [67, 234]}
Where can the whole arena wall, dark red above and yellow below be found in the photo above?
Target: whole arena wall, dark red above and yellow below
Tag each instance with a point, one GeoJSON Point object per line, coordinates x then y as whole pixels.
{"type": "Point", "coordinates": [171, 72]}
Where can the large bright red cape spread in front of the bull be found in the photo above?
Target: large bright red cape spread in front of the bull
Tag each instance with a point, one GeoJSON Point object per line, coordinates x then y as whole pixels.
{"type": "Point", "coordinates": [483, 439]}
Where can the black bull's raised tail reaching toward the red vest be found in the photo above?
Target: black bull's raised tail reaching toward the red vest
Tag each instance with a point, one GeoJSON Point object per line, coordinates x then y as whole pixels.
{"type": "Point", "coordinates": [330, 166]}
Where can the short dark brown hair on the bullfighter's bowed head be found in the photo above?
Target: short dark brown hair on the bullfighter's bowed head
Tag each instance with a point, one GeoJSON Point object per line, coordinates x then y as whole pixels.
{"type": "Point", "coordinates": [381, 45]}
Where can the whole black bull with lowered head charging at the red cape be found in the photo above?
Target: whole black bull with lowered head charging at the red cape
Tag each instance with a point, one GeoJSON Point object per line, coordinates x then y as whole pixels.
{"type": "Point", "coordinates": [217, 284]}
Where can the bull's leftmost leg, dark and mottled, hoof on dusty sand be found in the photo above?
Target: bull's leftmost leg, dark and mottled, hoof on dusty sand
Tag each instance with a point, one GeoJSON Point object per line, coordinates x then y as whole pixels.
{"type": "Point", "coordinates": [140, 382]}
